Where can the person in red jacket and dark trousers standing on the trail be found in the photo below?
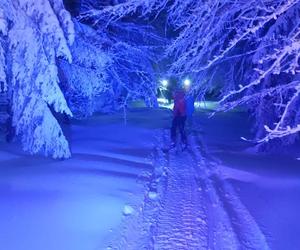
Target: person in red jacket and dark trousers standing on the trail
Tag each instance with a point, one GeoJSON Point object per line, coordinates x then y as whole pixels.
{"type": "Point", "coordinates": [179, 116]}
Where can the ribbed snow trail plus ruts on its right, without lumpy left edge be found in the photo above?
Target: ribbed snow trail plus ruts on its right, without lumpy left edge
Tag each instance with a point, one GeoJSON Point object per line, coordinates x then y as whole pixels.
{"type": "Point", "coordinates": [200, 210]}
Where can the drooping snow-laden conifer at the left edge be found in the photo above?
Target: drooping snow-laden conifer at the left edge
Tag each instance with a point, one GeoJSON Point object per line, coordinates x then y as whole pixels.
{"type": "Point", "coordinates": [37, 32]}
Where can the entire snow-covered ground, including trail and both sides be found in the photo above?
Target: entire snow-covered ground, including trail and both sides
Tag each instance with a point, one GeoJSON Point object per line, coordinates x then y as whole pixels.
{"type": "Point", "coordinates": [123, 190]}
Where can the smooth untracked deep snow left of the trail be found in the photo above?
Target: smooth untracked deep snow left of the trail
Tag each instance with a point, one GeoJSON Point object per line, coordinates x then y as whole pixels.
{"type": "Point", "coordinates": [74, 204]}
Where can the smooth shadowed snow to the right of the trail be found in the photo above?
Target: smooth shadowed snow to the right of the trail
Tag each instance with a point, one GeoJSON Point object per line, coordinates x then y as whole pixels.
{"type": "Point", "coordinates": [267, 185]}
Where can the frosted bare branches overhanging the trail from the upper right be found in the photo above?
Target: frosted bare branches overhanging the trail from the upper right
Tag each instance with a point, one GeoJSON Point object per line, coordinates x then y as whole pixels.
{"type": "Point", "coordinates": [247, 50]}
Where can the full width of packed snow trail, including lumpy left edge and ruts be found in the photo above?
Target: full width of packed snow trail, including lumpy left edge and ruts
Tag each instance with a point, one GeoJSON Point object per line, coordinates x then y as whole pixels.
{"type": "Point", "coordinates": [196, 208]}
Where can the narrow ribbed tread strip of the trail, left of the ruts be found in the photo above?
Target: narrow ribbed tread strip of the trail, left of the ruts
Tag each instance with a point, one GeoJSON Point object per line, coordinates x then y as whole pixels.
{"type": "Point", "coordinates": [181, 222]}
